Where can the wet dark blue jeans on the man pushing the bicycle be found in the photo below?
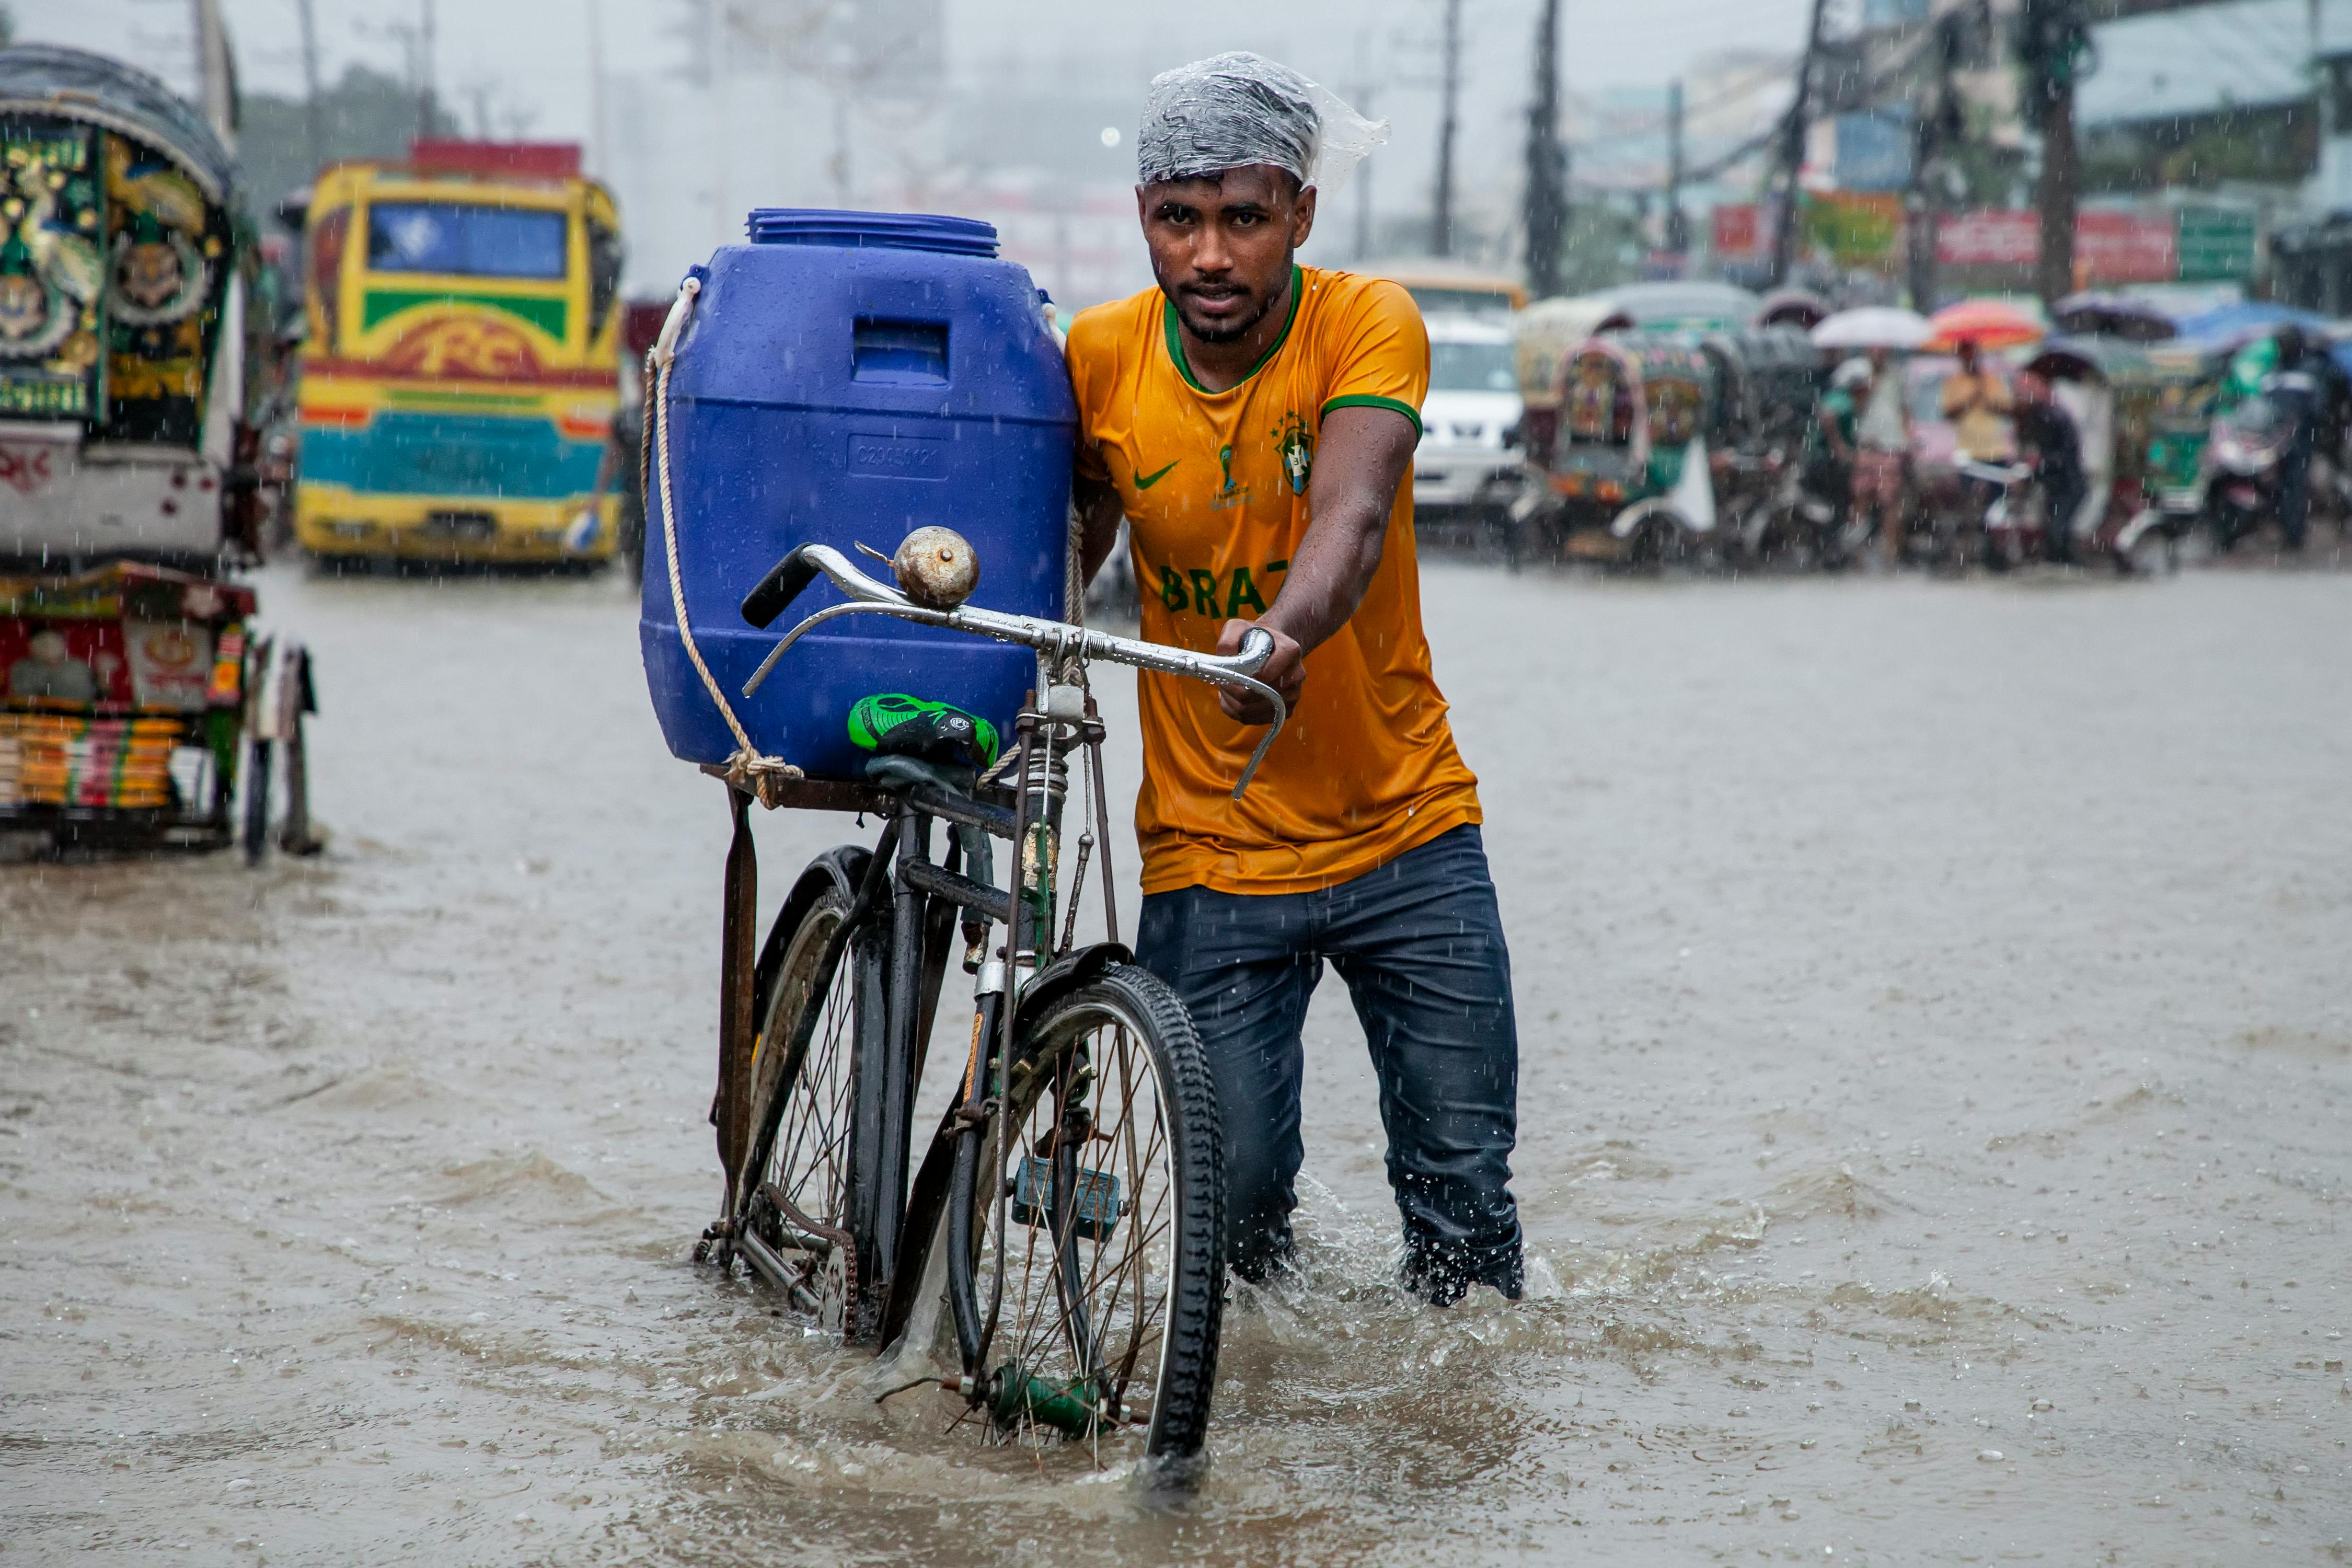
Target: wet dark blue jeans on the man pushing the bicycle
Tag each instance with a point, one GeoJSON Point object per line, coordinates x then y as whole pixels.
{"type": "Point", "coordinates": [1419, 944]}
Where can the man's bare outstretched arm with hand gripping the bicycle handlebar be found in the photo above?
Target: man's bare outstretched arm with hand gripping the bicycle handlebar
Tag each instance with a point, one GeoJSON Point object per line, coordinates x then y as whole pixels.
{"type": "Point", "coordinates": [1361, 462]}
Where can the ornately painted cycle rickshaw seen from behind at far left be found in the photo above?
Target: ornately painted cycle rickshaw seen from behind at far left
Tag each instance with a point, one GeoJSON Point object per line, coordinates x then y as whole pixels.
{"type": "Point", "coordinates": [135, 692]}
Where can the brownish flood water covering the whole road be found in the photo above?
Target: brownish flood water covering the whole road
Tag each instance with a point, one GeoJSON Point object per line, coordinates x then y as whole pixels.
{"type": "Point", "coordinates": [1937, 1076]}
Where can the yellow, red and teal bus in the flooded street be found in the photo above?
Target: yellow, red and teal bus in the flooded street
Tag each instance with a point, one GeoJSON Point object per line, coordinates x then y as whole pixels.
{"type": "Point", "coordinates": [462, 361]}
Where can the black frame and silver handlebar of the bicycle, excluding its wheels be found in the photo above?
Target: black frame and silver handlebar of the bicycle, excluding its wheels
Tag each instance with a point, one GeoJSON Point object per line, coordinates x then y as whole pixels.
{"type": "Point", "coordinates": [902, 1221]}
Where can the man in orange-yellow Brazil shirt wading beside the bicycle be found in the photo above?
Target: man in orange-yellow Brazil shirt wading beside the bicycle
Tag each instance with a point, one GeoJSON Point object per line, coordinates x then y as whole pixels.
{"type": "Point", "coordinates": [1255, 422]}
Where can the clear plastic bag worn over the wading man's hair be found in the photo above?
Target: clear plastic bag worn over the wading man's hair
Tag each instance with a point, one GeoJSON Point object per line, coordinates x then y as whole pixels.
{"type": "Point", "coordinates": [1238, 109]}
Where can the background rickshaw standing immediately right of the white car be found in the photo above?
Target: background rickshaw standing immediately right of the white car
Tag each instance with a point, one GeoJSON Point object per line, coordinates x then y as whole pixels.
{"type": "Point", "coordinates": [1629, 474]}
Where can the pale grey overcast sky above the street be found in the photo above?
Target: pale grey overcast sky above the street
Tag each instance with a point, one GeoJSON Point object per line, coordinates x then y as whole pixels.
{"type": "Point", "coordinates": [702, 156]}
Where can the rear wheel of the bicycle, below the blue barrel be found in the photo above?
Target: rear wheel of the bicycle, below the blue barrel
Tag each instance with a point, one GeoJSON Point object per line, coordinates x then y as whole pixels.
{"type": "Point", "coordinates": [815, 1031]}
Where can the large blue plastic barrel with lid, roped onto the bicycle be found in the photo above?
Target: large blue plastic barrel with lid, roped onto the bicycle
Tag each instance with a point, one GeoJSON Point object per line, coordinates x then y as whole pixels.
{"type": "Point", "coordinates": [850, 377]}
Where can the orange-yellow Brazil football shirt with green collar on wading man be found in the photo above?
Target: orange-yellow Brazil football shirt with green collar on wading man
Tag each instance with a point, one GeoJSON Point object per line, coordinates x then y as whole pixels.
{"type": "Point", "coordinates": [1217, 502]}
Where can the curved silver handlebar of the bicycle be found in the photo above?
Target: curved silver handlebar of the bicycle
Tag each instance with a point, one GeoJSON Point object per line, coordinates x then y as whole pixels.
{"type": "Point", "coordinates": [867, 596]}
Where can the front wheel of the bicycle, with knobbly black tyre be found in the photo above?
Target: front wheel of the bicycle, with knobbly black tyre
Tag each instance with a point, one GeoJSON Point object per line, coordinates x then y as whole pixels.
{"type": "Point", "coordinates": [1104, 1249]}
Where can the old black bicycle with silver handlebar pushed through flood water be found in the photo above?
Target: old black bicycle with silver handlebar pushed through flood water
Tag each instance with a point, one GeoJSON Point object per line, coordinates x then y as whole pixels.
{"type": "Point", "coordinates": [1069, 1212]}
